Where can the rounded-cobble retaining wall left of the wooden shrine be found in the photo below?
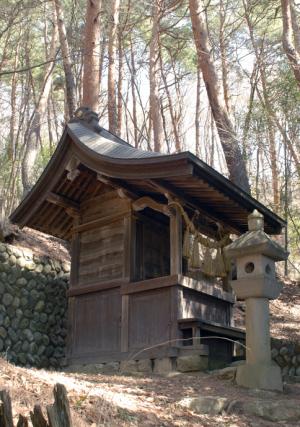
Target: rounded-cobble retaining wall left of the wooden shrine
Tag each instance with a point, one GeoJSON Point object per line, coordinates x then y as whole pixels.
{"type": "Point", "coordinates": [33, 307]}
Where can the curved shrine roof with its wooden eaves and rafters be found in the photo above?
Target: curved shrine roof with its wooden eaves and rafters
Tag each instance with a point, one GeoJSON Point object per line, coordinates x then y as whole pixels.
{"type": "Point", "coordinates": [98, 156]}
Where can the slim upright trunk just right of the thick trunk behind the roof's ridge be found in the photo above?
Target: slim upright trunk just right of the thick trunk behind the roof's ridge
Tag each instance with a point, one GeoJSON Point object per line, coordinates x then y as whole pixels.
{"type": "Point", "coordinates": [112, 41]}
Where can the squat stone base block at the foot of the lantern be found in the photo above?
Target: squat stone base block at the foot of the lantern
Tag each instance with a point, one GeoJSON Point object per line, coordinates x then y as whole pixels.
{"type": "Point", "coordinates": [262, 376]}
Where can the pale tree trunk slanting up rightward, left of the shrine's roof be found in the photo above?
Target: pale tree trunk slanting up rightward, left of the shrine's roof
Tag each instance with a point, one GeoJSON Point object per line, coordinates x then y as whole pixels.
{"type": "Point", "coordinates": [32, 137]}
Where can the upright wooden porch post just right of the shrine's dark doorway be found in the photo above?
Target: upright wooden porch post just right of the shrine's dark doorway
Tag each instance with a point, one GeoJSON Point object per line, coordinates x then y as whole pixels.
{"type": "Point", "coordinates": [175, 242]}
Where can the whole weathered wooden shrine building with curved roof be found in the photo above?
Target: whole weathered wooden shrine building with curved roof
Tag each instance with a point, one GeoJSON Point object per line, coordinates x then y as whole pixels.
{"type": "Point", "coordinates": [130, 216]}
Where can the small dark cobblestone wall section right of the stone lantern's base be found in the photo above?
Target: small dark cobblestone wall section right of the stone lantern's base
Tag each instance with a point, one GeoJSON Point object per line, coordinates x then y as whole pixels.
{"type": "Point", "coordinates": [287, 356]}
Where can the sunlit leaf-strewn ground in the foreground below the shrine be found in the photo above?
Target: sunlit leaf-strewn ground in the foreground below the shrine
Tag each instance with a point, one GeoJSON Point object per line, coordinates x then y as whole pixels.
{"type": "Point", "coordinates": [118, 400]}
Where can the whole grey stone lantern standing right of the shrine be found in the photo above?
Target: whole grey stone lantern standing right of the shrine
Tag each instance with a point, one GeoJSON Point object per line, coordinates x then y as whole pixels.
{"type": "Point", "coordinates": [255, 255]}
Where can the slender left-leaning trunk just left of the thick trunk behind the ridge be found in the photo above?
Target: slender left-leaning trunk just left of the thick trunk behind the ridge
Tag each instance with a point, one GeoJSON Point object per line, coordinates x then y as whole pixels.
{"type": "Point", "coordinates": [67, 63]}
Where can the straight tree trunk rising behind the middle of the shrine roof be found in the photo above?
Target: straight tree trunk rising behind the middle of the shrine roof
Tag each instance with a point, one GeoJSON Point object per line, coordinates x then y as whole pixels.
{"type": "Point", "coordinates": [156, 122]}
